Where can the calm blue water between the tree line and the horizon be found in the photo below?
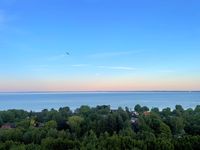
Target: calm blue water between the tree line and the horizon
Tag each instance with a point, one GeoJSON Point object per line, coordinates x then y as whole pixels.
{"type": "Point", "coordinates": [39, 101]}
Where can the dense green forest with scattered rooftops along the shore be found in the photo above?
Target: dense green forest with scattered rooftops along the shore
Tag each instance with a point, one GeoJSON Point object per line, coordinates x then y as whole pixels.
{"type": "Point", "coordinates": [101, 128]}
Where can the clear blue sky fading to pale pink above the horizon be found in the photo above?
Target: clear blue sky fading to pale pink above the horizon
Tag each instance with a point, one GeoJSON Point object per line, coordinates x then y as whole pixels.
{"type": "Point", "coordinates": [114, 45]}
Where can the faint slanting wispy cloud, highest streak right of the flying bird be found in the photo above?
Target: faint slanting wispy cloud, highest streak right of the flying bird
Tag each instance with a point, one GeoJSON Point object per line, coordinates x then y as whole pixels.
{"type": "Point", "coordinates": [114, 54]}
